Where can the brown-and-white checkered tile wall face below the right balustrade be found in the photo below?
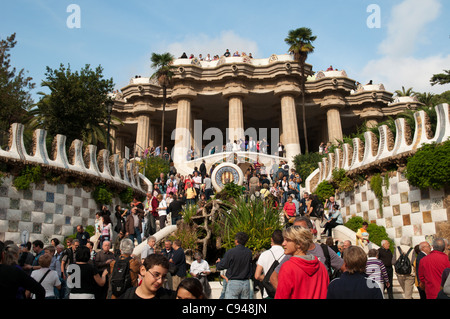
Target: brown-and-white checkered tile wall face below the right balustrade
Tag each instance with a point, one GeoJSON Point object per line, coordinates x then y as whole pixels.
{"type": "Point", "coordinates": [407, 210]}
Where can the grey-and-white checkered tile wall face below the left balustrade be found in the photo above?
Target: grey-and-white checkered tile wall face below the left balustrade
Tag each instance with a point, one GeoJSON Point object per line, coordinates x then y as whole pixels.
{"type": "Point", "coordinates": [45, 211]}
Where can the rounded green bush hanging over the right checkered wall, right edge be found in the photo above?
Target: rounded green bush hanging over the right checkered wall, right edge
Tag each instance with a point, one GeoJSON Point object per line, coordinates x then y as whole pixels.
{"type": "Point", "coordinates": [429, 167]}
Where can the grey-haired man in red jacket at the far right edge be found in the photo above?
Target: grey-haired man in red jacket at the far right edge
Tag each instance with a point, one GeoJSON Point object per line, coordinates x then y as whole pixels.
{"type": "Point", "coordinates": [431, 268]}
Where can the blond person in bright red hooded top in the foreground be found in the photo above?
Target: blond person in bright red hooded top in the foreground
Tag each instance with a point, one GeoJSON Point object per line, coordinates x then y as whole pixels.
{"type": "Point", "coordinates": [303, 276]}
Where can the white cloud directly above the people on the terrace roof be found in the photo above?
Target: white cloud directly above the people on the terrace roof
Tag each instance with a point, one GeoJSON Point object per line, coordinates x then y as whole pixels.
{"type": "Point", "coordinates": [214, 45]}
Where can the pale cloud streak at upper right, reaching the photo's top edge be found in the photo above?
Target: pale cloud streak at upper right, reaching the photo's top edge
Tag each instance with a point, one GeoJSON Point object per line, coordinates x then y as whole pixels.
{"type": "Point", "coordinates": [407, 26]}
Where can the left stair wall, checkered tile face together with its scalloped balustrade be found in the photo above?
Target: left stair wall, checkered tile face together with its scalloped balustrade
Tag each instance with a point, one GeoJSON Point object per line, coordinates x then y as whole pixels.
{"type": "Point", "coordinates": [45, 210]}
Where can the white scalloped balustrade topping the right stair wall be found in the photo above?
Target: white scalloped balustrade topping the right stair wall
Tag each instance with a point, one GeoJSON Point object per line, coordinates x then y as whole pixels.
{"type": "Point", "coordinates": [370, 153]}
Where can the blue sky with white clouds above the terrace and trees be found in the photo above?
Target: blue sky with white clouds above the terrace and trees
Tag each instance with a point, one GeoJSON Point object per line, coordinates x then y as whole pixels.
{"type": "Point", "coordinates": [393, 42]}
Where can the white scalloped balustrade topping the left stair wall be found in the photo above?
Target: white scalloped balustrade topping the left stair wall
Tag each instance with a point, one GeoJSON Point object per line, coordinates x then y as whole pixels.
{"type": "Point", "coordinates": [109, 168]}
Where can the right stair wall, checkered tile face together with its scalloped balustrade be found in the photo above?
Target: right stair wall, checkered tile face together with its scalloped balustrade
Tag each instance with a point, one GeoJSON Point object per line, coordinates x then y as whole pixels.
{"type": "Point", "coordinates": [407, 210]}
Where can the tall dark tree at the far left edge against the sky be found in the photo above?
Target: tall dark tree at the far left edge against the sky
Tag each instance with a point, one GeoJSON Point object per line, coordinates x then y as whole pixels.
{"type": "Point", "coordinates": [15, 86]}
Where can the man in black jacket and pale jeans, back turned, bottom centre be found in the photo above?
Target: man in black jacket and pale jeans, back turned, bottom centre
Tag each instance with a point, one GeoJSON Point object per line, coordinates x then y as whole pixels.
{"type": "Point", "coordinates": [238, 262]}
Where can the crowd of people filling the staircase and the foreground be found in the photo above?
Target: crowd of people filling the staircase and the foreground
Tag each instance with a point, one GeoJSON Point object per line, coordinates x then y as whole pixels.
{"type": "Point", "coordinates": [299, 265]}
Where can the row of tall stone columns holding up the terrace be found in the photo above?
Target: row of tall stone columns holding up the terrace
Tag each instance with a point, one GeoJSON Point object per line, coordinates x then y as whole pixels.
{"type": "Point", "coordinates": [183, 137]}
